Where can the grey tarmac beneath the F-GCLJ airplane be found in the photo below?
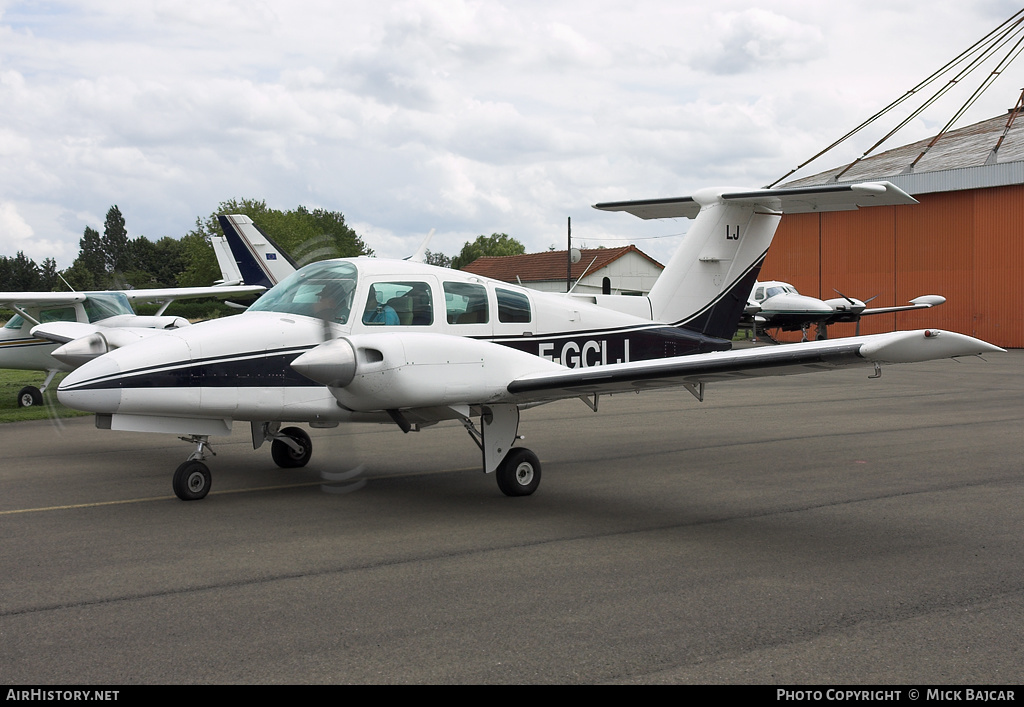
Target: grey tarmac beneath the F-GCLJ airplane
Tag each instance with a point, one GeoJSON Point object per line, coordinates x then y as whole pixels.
{"type": "Point", "coordinates": [823, 529]}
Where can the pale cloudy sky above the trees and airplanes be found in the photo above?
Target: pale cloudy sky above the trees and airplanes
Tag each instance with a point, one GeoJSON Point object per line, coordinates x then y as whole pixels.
{"type": "Point", "coordinates": [468, 117]}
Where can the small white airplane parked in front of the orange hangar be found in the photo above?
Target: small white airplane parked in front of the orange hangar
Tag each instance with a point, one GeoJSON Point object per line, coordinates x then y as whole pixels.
{"type": "Point", "coordinates": [778, 305]}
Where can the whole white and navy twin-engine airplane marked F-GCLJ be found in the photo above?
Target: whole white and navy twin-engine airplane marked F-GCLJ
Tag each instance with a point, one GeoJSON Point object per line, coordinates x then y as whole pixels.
{"type": "Point", "coordinates": [405, 344]}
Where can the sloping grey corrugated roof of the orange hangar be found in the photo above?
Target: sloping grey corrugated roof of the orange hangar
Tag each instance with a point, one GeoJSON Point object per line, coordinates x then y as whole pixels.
{"type": "Point", "coordinates": [961, 160]}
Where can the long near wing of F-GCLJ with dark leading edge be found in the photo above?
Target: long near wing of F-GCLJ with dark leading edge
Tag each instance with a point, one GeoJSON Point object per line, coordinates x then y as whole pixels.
{"type": "Point", "coordinates": [901, 347]}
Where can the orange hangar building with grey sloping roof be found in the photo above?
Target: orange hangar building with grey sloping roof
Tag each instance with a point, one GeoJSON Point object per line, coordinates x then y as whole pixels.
{"type": "Point", "coordinates": [965, 240]}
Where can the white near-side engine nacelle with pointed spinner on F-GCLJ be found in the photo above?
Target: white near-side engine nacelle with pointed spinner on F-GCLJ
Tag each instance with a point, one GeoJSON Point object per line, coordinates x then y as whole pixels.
{"type": "Point", "coordinates": [402, 370]}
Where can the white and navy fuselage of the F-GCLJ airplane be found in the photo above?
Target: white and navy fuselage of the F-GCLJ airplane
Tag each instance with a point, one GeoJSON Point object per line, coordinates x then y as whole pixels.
{"type": "Point", "coordinates": [240, 368]}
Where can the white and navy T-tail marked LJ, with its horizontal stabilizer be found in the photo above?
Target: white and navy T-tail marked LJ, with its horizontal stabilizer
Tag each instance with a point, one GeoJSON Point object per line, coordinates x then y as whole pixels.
{"type": "Point", "coordinates": [706, 284]}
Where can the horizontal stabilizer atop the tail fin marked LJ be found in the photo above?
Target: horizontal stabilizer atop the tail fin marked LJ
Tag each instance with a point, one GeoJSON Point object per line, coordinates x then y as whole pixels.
{"type": "Point", "coordinates": [796, 200]}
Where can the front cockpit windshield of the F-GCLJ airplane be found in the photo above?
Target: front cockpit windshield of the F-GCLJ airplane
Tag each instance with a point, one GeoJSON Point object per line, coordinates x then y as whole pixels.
{"type": "Point", "coordinates": [322, 289]}
